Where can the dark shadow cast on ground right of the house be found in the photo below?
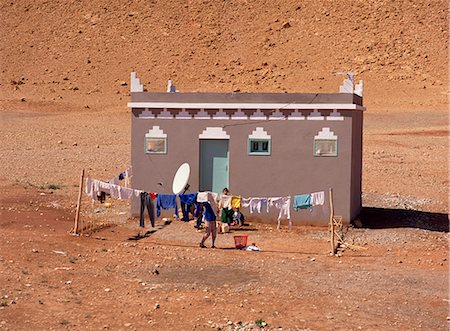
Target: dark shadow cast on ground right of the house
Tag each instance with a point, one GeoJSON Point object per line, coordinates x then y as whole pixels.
{"type": "Point", "coordinates": [384, 218]}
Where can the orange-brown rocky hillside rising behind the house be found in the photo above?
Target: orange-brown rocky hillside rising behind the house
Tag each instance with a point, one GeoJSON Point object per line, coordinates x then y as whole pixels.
{"type": "Point", "coordinates": [80, 53]}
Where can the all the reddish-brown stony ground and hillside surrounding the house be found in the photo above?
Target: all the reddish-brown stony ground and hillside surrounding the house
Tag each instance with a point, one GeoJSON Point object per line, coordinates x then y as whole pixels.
{"type": "Point", "coordinates": [64, 86]}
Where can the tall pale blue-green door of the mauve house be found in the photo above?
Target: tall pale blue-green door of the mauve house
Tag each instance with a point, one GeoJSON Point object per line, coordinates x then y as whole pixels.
{"type": "Point", "coordinates": [213, 165]}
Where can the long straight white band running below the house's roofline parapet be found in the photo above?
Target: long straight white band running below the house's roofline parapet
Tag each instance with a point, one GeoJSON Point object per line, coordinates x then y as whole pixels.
{"type": "Point", "coordinates": [249, 105]}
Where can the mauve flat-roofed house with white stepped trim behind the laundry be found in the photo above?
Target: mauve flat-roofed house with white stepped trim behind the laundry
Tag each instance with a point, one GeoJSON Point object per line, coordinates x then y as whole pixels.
{"type": "Point", "coordinates": [256, 144]}
